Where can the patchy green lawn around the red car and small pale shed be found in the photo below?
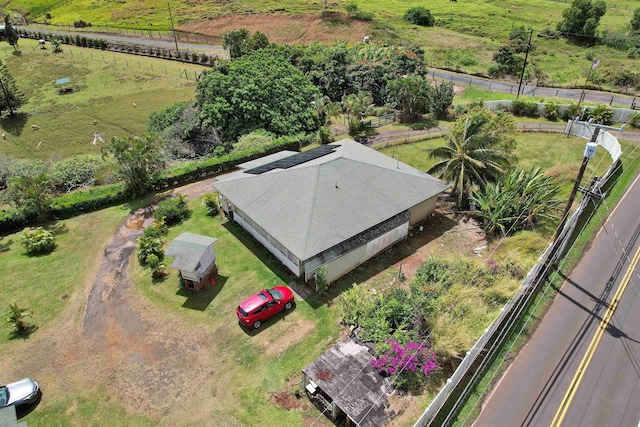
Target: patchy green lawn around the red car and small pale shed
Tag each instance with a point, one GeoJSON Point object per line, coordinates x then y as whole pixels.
{"type": "Point", "coordinates": [244, 267]}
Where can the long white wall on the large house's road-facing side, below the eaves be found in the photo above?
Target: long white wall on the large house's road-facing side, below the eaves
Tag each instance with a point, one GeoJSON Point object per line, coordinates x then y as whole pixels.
{"type": "Point", "coordinates": [347, 262]}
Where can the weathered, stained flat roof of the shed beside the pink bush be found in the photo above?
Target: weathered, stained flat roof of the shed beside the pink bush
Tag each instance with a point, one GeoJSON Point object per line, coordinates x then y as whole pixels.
{"type": "Point", "coordinates": [346, 375]}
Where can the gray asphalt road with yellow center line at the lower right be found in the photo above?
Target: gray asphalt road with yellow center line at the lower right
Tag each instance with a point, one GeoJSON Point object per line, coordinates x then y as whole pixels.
{"type": "Point", "coordinates": [531, 390]}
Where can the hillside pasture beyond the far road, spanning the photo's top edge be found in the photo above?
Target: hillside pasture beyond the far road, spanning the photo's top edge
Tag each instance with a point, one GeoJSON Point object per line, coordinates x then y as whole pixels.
{"type": "Point", "coordinates": [473, 28]}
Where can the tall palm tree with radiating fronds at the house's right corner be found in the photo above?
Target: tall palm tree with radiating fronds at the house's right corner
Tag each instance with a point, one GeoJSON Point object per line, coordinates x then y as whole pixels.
{"type": "Point", "coordinates": [472, 156]}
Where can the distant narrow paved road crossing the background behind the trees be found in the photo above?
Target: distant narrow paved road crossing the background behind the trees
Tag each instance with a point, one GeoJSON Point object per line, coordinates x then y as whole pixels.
{"type": "Point", "coordinates": [461, 79]}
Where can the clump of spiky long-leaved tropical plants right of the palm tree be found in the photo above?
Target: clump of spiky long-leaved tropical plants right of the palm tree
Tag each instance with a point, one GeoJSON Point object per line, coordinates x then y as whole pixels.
{"type": "Point", "coordinates": [517, 201]}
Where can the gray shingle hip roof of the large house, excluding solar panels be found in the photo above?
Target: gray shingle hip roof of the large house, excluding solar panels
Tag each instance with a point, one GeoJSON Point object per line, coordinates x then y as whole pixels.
{"type": "Point", "coordinates": [313, 206]}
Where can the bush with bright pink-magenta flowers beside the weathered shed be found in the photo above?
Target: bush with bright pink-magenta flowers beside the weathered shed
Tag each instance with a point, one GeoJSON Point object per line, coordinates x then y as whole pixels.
{"type": "Point", "coordinates": [409, 365]}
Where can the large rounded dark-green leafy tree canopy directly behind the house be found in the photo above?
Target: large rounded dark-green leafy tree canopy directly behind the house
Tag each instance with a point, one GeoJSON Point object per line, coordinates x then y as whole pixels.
{"type": "Point", "coordinates": [261, 90]}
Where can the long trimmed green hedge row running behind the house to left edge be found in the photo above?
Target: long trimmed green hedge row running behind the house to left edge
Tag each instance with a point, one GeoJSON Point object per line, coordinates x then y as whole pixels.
{"type": "Point", "coordinates": [84, 201]}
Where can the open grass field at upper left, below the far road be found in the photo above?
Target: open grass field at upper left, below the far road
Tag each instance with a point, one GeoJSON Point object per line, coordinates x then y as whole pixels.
{"type": "Point", "coordinates": [117, 91]}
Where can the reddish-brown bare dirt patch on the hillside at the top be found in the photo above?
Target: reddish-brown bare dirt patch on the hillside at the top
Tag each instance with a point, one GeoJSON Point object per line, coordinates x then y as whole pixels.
{"type": "Point", "coordinates": [289, 29]}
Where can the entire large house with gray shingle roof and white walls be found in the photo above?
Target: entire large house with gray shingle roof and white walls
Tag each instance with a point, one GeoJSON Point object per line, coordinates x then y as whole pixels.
{"type": "Point", "coordinates": [335, 206]}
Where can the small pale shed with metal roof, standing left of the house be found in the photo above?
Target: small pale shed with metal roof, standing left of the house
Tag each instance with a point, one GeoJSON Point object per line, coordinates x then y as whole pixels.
{"type": "Point", "coordinates": [195, 258]}
